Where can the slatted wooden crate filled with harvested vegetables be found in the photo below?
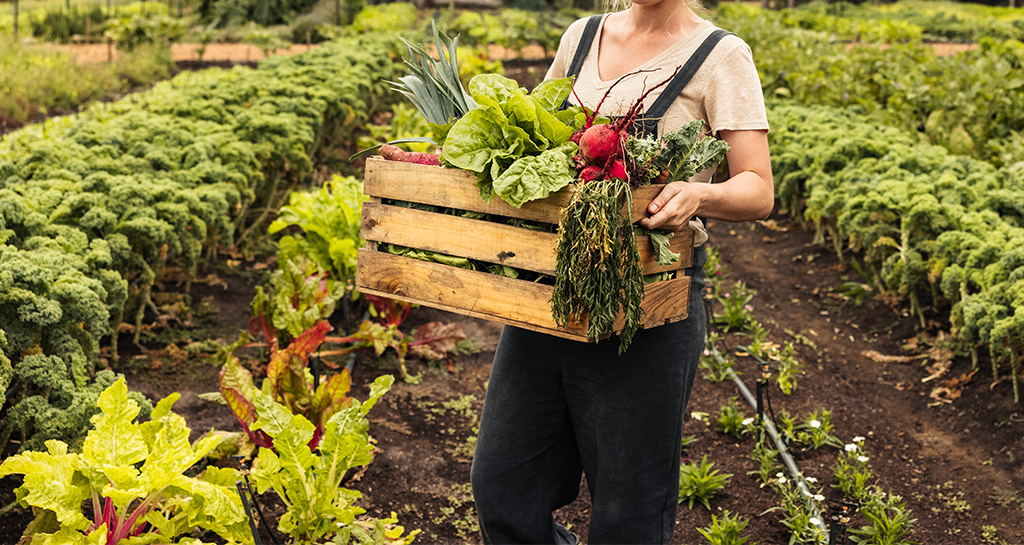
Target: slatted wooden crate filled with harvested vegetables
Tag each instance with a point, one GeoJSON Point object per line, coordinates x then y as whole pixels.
{"type": "Point", "coordinates": [517, 303]}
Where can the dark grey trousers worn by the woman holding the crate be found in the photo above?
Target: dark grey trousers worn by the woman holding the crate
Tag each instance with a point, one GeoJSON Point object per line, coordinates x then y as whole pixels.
{"type": "Point", "coordinates": [558, 409]}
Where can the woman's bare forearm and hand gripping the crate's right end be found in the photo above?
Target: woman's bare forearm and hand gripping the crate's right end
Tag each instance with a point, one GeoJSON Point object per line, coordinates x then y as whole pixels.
{"type": "Point", "coordinates": [749, 194]}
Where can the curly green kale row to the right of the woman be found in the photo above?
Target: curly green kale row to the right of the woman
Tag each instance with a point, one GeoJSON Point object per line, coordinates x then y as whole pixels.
{"type": "Point", "coordinates": [940, 230]}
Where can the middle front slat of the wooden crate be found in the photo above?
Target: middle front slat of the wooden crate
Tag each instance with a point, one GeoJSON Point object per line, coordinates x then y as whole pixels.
{"type": "Point", "coordinates": [486, 241]}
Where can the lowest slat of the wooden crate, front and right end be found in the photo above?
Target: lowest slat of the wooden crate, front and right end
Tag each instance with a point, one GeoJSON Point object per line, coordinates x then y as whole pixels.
{"type": "Point", "coordinates": [498, 299]}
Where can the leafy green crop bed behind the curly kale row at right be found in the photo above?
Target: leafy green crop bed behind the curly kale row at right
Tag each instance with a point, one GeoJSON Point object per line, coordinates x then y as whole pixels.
{"type": "Point", "coordinates": [971, 104]}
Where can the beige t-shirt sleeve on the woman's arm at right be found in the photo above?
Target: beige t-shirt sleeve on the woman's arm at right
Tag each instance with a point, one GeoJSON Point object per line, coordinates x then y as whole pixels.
{"type": "Point", "coordinates": [734, 100]}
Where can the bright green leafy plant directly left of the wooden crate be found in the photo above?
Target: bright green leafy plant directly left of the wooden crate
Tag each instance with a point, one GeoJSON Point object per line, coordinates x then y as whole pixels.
{"type": "Point", "coordinates": [329, 221]}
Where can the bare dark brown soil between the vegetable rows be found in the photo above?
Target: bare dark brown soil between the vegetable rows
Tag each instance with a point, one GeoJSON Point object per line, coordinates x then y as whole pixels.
{"type": "Point", "coordinates": [953, 454]}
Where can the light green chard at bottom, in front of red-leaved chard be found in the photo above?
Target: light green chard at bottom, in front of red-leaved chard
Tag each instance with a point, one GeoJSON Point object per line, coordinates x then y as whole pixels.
{"type": "Point", "coordinates": [317, 507]}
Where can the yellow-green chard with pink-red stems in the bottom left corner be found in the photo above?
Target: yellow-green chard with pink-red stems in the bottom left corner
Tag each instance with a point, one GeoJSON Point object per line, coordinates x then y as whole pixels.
{"type": "Point", "coordinates": [132, 474]}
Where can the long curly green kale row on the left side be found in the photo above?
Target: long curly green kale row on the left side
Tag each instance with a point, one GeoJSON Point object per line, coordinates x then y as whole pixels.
{"type": "Point", "coordinates": [96, 209]}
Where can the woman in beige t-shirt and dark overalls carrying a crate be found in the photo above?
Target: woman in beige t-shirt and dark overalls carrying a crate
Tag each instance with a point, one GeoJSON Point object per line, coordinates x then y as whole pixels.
{"type": "Point", "coordinates": [558, 409]}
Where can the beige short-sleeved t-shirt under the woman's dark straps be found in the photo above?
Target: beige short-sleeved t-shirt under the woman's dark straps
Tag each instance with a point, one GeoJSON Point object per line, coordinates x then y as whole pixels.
{"type": "Point", "coordinates": [726, 93]}
